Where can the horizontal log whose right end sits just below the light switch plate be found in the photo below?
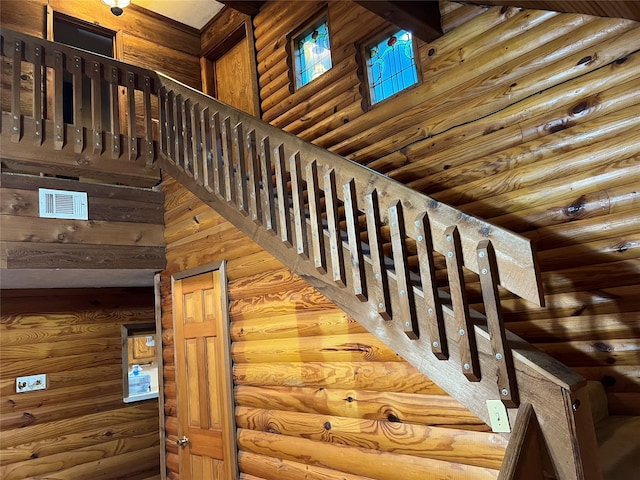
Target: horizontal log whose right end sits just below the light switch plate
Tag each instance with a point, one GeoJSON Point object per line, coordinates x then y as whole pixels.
{"type": "Point", "coordinates": [447, 444]}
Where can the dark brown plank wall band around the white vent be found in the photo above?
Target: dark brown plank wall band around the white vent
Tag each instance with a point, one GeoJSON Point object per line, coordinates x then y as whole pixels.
{"type": "Point", "coordinates": [124, 230]}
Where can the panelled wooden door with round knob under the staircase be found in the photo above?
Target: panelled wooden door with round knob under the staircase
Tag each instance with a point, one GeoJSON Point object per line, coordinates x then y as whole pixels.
{"type": "Point", "coordinates": [205, 413]}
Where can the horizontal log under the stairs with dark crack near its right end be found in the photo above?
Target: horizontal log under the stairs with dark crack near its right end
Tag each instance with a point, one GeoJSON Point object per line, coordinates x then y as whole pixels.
{"type": "Point", "coordinates": [327, 348]}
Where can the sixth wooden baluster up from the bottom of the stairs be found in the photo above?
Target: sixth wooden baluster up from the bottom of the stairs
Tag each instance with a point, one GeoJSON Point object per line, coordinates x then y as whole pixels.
{"type": "Point", "coordinates": [355, 244]}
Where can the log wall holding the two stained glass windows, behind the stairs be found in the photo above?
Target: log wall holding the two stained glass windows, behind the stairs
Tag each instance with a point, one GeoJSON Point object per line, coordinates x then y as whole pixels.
{"type": "Point", "coordinates": [526, 118]}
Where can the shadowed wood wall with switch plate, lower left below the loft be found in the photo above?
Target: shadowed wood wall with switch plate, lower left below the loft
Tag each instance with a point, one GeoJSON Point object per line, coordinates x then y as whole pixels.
{"type": "Point", "coordinates": [78, 427]}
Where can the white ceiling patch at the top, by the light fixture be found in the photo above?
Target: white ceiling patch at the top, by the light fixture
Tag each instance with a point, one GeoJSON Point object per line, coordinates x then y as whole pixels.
{"type": "Point", "coordinates": [195, 13]}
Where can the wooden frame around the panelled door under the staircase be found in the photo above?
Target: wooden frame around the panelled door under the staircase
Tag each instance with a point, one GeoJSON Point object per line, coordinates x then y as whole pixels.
{"type": "Point", "coordinates": [230, 442]}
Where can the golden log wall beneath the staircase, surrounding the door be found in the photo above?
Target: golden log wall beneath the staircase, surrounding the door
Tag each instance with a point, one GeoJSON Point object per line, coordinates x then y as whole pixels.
{"type": "Point", "coordinates": [315, 394]}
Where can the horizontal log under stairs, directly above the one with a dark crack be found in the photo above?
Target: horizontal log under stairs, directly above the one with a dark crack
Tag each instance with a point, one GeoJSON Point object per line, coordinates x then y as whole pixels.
{"type": "Point", "coordinates": [295, 325]}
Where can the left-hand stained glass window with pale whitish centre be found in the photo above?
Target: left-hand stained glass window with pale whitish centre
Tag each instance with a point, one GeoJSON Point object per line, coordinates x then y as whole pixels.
{"type": "Point", "coordinates": [312, 53]}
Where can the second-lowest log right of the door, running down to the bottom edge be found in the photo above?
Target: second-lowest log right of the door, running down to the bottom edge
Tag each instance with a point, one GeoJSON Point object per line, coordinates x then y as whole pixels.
{"type": "Point", "coordinates": [354, 460]}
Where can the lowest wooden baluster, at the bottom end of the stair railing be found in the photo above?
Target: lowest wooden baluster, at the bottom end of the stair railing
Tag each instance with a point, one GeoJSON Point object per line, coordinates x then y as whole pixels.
{"type": "Point", "coordinates": [489, 281]}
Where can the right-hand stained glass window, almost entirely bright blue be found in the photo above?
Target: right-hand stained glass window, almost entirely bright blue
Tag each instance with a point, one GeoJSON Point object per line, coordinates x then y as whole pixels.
{"type": "Point", "coordinates": [391, 66]}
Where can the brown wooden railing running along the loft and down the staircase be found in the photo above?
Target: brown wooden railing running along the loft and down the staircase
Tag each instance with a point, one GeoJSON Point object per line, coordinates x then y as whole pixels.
{"type": "Point", "coordinates": [399, 262]}
